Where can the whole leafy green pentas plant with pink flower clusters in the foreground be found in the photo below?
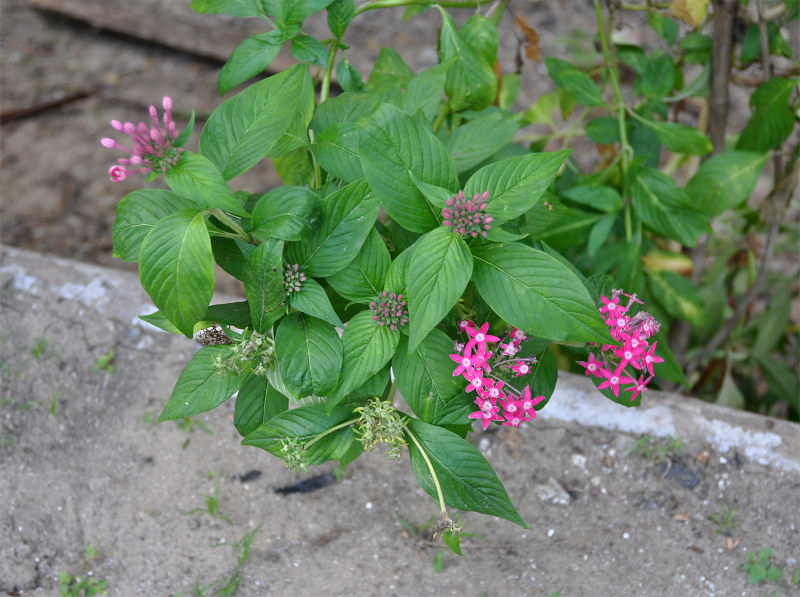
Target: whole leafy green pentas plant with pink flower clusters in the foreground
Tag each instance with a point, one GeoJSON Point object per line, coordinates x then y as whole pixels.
{"type": "Point", "coordinates": [401, 220]}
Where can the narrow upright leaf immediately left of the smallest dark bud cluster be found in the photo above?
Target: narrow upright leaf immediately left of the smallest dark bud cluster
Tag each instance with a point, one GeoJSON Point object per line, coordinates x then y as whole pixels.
{"type": "Point", "coordinates": [263, 284]}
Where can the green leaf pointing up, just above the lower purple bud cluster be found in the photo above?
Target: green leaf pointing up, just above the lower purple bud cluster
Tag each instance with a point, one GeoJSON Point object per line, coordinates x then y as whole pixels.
{"type": "Point", "coordinates": [362, 279]}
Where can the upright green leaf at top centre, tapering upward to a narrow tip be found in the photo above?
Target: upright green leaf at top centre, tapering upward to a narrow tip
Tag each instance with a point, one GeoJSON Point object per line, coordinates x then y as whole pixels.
{"type": "Point", "coordinates": [471, 83]}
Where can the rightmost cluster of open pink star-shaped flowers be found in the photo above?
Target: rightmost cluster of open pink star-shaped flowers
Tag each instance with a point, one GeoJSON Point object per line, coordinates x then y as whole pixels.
{"type": "Point", "coordinates": [633, 352]}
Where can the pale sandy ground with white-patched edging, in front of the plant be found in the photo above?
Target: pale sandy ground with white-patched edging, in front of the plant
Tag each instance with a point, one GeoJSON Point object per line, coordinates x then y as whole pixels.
{"type": "Point", "coordinates": [82, 463]}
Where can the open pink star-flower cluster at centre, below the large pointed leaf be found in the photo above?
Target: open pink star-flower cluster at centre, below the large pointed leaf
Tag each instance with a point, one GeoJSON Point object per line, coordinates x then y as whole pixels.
{"type": "Point", "coordinates": [497, 399]}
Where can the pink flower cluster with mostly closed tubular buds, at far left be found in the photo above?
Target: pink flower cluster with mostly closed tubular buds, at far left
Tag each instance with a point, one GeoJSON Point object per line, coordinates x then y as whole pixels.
{"type": "Point", "coordinates": [154, 146]}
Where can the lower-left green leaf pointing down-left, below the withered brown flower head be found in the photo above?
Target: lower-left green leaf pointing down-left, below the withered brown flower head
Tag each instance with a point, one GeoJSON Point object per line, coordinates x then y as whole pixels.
{"type": "Point", "coordinates": [199, 387]}
